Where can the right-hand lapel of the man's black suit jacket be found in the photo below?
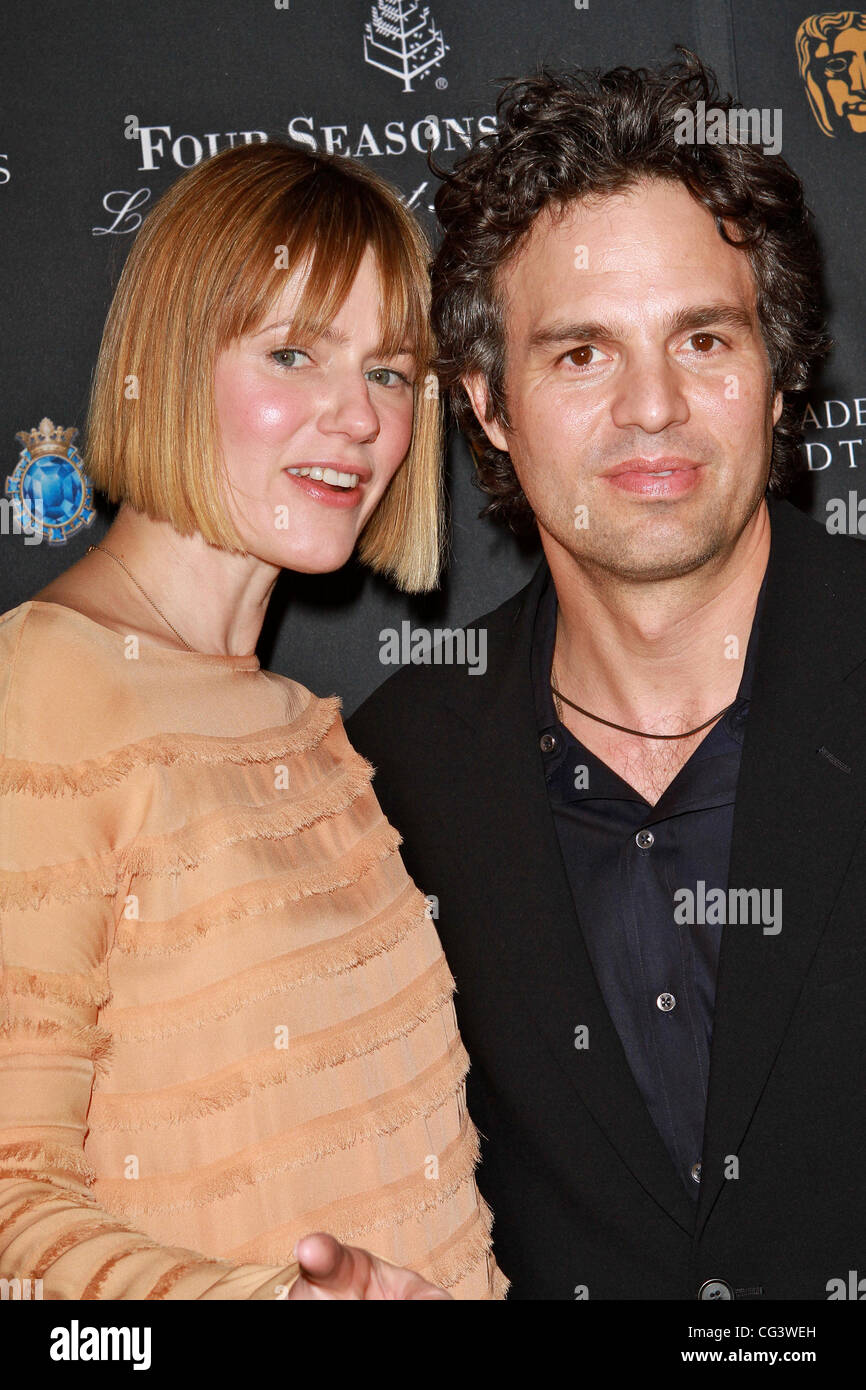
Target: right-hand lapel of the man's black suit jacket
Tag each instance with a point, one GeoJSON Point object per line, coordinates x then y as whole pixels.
{"type": "Point", "coordinates": [797, 819]}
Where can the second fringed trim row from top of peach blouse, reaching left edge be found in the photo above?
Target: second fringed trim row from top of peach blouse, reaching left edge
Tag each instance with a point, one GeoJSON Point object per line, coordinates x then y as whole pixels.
{"type": "Point", "coordinates": [102, 875]}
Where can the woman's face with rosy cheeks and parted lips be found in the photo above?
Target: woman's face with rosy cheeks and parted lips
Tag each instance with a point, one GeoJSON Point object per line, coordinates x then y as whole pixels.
{"type": "Point", "coordinates": [334, 405]}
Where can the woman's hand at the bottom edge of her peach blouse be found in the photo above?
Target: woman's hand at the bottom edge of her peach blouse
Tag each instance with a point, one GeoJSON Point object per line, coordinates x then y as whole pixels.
{"type": "Point", "coordinates": [334, 1271]}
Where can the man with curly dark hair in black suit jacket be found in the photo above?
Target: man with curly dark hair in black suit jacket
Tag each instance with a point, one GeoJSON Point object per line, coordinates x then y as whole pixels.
{"type": "Point", "coordinates": [644, 828]}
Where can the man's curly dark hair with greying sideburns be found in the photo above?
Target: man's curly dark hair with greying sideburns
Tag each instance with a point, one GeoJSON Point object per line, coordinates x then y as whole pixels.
{"type": "Point", "coordinates": [565, 136]}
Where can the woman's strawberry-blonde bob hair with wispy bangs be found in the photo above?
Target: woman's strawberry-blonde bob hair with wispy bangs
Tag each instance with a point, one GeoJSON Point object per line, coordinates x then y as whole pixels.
{"type": "Point", "coordinates": [206, 268]}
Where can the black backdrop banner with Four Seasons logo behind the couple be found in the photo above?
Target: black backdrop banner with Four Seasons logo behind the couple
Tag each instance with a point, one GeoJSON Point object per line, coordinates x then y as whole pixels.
{"type": "Point", "coordinates": [108, 104]}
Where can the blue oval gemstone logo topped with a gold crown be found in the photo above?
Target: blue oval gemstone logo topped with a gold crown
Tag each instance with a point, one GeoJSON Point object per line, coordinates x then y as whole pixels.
{"type": "Point", "coordinates": [52, 496]}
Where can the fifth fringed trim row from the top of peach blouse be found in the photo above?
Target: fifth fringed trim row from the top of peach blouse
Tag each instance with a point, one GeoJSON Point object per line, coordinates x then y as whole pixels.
{"type": "Point", "coordinates": [312, 1053]}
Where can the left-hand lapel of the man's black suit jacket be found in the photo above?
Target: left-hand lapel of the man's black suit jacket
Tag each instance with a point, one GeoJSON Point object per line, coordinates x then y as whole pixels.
{"type": "Point", "coordinates": [536, 933]}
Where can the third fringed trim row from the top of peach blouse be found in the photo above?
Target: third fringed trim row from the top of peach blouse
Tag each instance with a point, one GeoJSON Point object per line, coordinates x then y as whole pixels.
{"type": "Point", "coordinates": [165, 939]}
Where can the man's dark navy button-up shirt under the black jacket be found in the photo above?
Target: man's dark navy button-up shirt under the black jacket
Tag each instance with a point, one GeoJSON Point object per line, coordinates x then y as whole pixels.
{"type": "Point", "coordinates": [626, 860]}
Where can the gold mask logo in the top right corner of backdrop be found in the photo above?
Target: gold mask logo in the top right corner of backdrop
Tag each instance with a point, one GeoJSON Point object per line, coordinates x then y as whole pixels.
{"type": "Point", "coordinates": [832, 56]}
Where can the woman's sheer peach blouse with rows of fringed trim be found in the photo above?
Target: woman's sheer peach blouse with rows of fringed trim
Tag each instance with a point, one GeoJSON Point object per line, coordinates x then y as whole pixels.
{"type": "Point", "coordinates": [226, 1018]}
